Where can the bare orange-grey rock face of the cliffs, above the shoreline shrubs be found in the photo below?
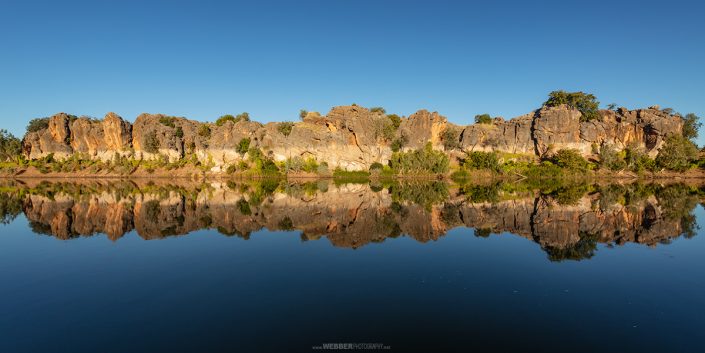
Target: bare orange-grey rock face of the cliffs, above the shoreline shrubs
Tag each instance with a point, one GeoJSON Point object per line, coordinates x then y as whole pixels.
{"type": "Point", "coordinates": [348, 137]}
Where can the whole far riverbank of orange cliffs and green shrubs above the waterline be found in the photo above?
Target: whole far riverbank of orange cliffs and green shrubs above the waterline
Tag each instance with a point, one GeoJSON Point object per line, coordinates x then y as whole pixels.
{"type": "Point", "coordinates": [569, 136]}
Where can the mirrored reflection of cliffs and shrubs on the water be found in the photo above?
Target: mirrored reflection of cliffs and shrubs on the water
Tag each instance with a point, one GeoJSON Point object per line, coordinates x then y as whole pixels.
{"type": "Point", "coordinates": [567, 220]}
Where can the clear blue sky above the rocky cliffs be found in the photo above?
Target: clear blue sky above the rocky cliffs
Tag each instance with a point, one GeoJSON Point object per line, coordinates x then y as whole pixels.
{"type": "Point", "coordinates": [202, 59]}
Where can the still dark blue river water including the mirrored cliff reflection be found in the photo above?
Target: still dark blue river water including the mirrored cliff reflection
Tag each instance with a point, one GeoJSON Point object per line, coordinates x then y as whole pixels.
{"type": "Point", "coordinates": [97, 266]}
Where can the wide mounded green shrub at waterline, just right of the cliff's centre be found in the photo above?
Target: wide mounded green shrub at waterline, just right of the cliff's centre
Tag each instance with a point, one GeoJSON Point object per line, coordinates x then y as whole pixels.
{"type": "Point", "coordinates": [424, 160]}
